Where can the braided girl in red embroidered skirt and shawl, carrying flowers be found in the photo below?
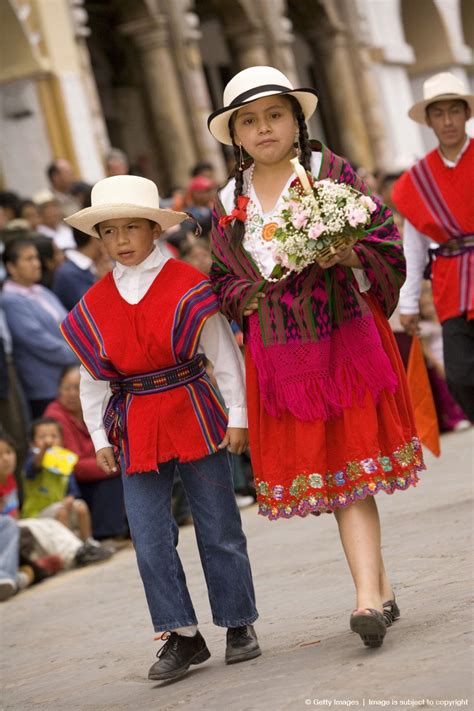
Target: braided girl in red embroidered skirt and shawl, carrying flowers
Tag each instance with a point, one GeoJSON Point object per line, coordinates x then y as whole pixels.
{"type": "Point", "coordinates": [330, 420]}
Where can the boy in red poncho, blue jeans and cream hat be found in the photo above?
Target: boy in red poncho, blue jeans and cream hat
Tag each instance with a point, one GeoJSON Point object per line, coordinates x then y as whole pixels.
{"type": "Point", "coordinates": [139, 333]}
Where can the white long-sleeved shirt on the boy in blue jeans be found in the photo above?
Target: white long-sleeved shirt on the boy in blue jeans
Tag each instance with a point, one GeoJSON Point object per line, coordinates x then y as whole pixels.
{"type": "Point", "coordinates": [216, 342]}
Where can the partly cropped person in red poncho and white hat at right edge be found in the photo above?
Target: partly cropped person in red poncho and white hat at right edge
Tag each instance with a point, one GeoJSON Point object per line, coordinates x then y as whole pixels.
{"type": "Point", "coordinates": [435, 197]}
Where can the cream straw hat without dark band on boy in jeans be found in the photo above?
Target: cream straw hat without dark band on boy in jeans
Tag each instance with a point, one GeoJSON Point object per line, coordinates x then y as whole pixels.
{"type": "Point", "coordinates": [123, 196]}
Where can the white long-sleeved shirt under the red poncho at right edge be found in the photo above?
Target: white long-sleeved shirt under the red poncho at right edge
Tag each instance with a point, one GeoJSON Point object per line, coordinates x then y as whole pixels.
{"type": "Point", "coordinates": [416, 246]}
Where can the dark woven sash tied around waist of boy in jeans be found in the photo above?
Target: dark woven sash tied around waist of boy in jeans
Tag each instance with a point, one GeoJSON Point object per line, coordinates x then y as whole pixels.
{"type": "Point", "coordinates": [147, 384]}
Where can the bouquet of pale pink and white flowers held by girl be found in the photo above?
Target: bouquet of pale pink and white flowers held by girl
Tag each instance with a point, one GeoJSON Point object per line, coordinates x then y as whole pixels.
{"type": "Point", "coordinates": [316, 221]}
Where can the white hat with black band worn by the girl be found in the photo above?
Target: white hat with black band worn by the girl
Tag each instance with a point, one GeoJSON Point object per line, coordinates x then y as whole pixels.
{"type": "Point", "coordinates": [252, 84]}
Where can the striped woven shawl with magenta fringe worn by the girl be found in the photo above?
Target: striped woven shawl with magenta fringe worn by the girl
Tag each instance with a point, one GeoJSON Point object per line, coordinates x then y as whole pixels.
{"type": "Point", "coordinates": [314, 341]}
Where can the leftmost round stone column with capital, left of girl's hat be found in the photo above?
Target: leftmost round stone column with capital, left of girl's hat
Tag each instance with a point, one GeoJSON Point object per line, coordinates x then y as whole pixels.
{"type": "Point", "coordinates": [173, 131]}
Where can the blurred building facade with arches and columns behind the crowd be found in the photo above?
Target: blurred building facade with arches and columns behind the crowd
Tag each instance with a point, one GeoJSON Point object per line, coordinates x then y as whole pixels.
{"type": "Point", "coordinates": [143, 75]}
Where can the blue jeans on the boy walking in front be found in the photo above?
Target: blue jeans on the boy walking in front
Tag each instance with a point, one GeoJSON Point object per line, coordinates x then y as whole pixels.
{"type": "Point", "coordinates": [221, 542]}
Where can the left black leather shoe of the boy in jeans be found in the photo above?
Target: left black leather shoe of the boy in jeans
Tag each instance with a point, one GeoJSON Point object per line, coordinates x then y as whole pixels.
{"type": "Point", "coordinates": [177, 655]}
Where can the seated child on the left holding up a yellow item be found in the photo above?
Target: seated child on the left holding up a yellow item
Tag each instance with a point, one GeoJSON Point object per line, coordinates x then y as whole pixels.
{"type": "Point", "coordinates": [50, 488]}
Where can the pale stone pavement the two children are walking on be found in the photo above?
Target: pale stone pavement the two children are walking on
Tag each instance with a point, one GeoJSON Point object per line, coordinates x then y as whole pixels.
{"type": "Point", "coordinates": [83, 640]}
